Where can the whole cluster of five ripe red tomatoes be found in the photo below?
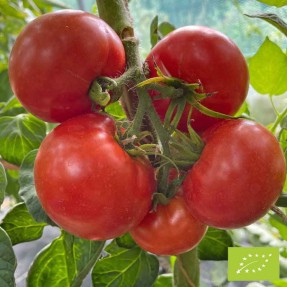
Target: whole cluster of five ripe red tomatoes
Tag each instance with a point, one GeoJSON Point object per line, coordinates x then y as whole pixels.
{"type": "Point", "coordinates": [91, 186]}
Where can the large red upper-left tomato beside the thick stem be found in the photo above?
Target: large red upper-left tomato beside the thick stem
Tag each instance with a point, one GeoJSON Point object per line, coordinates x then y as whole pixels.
{"type": "Point", "coordinates": [55, 59]}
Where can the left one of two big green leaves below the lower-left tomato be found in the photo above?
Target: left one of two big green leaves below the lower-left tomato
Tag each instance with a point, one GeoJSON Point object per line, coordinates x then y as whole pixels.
{"type": "Point", "coordinates": [64, 263]}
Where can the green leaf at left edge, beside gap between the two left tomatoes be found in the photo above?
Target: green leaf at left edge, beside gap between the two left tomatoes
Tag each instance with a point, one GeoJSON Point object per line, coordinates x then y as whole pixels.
{"type": "Point", "coordinates": [19, 135]}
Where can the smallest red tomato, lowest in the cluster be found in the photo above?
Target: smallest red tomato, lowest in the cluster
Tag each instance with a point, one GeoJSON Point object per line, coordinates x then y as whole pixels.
{"type": "Point", "coordinates": [170, 230]}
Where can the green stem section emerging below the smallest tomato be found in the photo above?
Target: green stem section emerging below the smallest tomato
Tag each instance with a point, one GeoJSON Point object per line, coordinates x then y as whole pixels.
{"type": "Point", "coordinates": [186, 269]}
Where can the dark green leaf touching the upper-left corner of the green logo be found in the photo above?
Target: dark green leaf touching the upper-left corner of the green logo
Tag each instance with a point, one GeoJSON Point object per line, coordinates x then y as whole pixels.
{"type": "Point", "coordinates": [214, 245]}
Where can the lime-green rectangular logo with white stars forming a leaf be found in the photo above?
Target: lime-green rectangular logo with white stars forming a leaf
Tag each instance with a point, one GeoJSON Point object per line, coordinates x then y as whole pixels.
{"type": "Point", "coordinates": [253, 263]}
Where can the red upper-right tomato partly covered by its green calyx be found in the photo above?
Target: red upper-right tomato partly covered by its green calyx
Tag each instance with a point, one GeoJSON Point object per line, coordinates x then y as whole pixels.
{"type": "Point", "coordinates": [198, 54]}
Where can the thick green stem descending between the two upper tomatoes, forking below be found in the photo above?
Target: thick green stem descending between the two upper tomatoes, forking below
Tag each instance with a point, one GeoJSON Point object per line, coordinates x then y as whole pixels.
{"type": "Point", "coordinates": [116, 14]}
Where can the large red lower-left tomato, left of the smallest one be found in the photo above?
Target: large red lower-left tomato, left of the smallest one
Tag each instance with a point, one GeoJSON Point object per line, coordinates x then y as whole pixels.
{"type": "Point", "coordinates": [87, 183]}
